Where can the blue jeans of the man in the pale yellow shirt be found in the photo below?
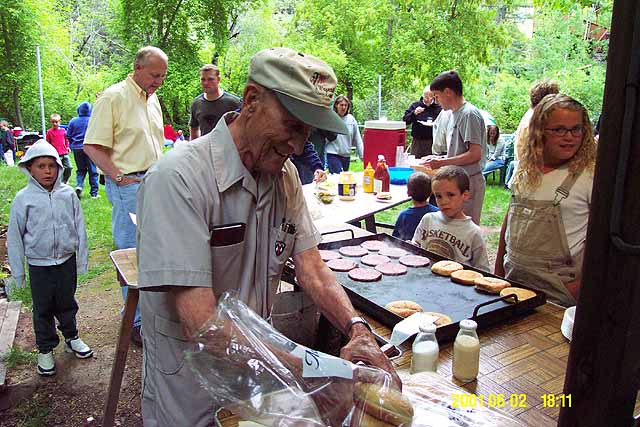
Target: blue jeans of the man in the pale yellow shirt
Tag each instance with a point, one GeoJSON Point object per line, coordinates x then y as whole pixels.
{"type": "Point", "coordinates": [123, 202]}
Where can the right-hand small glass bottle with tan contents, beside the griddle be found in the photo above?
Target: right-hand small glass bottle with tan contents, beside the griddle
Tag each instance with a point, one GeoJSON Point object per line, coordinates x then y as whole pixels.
{"type": "Point", "coordinates": [466, 352]}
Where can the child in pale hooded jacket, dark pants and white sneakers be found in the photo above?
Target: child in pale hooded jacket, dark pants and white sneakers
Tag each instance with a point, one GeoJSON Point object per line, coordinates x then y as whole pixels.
{"type": "Point", "coordinates": [46, 226]}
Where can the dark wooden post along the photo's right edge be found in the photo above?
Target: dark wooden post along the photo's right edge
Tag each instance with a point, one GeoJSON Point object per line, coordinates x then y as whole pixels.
{"type": "Point", "coordinates": [604, 362]}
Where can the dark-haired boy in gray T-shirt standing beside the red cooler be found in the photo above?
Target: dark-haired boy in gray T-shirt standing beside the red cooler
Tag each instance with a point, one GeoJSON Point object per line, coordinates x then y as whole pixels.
{"type": "Point", "coordinates": [466, 138]}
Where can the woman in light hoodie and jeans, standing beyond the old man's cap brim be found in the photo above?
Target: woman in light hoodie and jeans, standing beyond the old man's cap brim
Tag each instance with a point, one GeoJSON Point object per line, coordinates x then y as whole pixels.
{"type": "Point", "coordinates": [339, 150]}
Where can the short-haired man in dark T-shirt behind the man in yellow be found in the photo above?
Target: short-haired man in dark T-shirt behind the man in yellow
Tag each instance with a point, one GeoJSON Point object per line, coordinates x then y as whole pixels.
{"type": "Point", "coordinates": [210, 105]}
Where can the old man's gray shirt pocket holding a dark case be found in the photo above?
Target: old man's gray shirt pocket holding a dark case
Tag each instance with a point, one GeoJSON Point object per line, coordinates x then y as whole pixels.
{"type": "Point", "coordinates": [227, 263]}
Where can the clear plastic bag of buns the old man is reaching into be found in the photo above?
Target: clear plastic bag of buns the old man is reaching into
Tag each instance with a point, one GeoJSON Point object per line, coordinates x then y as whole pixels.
{"type": "Point", "coordinates": [260, 375]}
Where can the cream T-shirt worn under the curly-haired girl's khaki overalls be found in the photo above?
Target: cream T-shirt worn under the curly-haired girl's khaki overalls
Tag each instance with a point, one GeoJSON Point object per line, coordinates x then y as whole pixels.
{"type": "Point", "coordinates": [574, 209]}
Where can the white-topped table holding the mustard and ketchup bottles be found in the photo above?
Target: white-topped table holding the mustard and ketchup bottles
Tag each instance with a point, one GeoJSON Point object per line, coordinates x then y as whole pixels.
{"type": "Point", "coordinates": [364, 207]}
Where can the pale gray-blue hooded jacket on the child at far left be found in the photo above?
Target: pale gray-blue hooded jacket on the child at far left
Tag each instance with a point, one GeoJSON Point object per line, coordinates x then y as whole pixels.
{"type": "Point", "coordinates": [46, 228]}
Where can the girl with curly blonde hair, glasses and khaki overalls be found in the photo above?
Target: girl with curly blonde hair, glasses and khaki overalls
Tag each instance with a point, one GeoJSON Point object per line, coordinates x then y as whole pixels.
{"type": "Point", "coordinates": [544, 232]}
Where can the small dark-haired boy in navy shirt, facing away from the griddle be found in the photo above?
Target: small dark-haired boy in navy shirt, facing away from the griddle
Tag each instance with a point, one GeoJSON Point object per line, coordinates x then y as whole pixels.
{"type": "Point", "coordinates": [419, 189]}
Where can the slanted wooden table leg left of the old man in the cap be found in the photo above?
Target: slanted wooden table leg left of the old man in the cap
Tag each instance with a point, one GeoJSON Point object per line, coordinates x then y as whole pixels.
{"type": "Point", "coordinates": [122, 347]}
